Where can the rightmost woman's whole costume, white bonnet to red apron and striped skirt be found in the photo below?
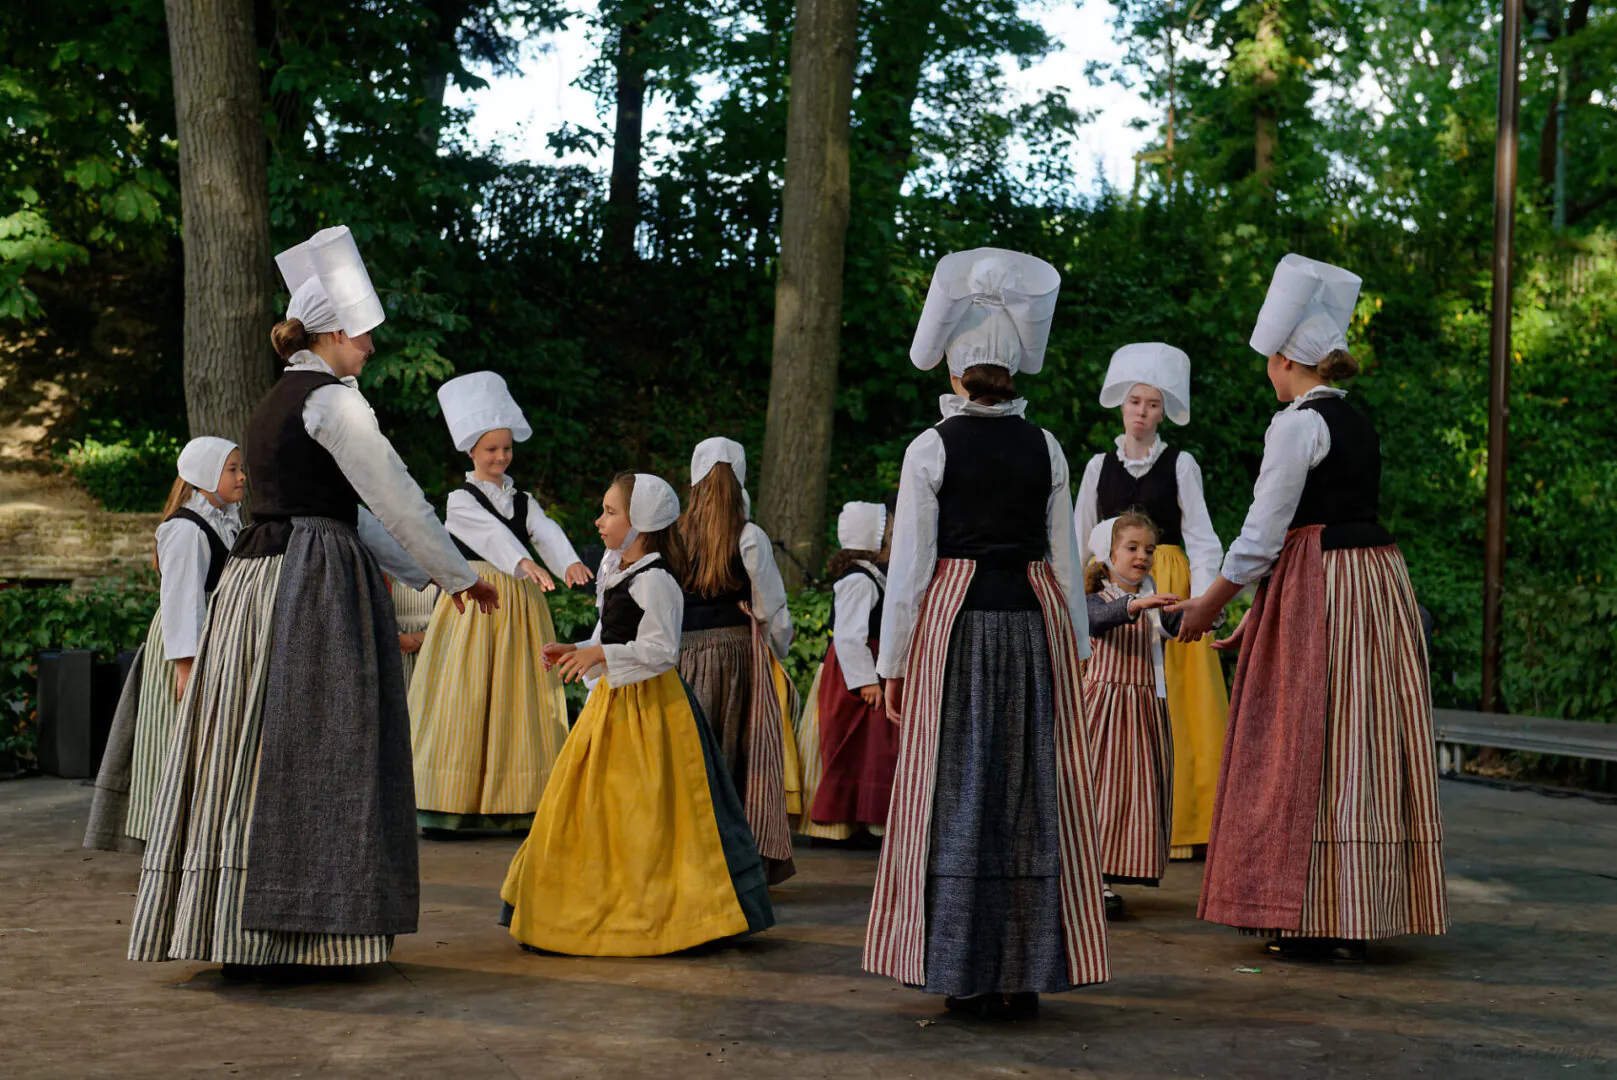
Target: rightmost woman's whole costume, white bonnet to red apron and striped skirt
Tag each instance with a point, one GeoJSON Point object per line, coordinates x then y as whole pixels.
{"type": "Point", "coordinates": [1328, 821]}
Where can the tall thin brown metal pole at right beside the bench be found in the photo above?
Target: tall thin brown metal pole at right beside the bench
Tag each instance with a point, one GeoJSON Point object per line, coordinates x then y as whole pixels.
{"type": "Point", "coordinates": [1500, 353]}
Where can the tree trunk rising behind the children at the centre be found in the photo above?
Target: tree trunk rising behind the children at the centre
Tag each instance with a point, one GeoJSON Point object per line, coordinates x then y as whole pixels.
{"type": "Point", "coordinates": [809, 284]}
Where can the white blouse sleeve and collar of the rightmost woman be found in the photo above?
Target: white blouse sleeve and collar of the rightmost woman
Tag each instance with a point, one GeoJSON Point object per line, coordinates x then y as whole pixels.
{"type": "Point", "coordinates": [1298, 441]}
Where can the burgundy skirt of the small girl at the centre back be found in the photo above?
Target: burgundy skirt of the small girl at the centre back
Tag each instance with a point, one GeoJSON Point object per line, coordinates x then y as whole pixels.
{"type": "Point", "coordinates": [859, 748]}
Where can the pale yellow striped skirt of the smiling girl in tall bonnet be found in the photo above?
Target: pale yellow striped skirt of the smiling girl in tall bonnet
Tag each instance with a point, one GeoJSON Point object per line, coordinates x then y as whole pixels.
{"type": "Point", "coordinates": [488, 720]}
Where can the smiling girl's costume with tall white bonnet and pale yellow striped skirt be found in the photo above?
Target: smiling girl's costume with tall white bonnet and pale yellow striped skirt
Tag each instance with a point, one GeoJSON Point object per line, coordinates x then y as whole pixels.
{"type": "Point", "coordinates": [488, 720]}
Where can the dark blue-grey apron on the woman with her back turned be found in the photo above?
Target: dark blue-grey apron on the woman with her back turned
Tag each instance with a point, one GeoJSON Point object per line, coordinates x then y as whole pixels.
{"type": "Point", "coordinates": [994, 877]}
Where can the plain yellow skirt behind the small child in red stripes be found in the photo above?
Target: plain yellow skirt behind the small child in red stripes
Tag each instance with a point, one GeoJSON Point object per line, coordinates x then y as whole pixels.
{"type": "Point", "coordinates": [1199, 709]}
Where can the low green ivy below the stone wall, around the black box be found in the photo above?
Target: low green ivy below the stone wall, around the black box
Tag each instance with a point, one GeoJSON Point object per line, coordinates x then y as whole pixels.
{"type": "Point", "coordinates": [111, 617]}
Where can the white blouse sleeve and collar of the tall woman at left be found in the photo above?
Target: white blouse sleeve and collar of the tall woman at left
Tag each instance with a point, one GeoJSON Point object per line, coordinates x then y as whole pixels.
{"type": "Point", "coordinates": [342, 421]}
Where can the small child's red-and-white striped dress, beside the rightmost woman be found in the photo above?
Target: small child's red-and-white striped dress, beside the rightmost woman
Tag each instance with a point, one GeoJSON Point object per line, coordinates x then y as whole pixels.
{"type": "Point", "coordinates": [1134, 753]}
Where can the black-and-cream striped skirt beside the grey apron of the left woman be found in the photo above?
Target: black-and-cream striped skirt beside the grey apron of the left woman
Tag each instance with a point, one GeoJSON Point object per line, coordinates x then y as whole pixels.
{"type": "Point", "coordinates": [195, 871]}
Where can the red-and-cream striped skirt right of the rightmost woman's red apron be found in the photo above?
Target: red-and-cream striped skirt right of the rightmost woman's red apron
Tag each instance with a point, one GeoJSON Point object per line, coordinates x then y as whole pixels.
{"type": "Point", "coordinates": [1377, 864]}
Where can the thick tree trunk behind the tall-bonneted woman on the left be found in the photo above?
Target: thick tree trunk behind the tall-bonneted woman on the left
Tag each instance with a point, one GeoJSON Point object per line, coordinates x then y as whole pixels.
{"type": "Point", "coordinates": [226, 214]}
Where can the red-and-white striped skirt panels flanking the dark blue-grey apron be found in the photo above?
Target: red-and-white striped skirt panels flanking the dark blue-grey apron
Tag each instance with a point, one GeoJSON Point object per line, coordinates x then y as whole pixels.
{"type": "Point", "coordinates": [895, 942]}
